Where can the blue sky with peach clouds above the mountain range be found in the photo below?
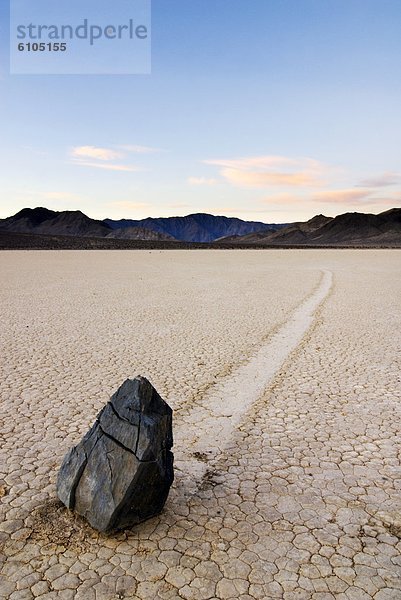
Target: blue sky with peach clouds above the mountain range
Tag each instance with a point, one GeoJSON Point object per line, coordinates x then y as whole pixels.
{"type": "Point", "coordinates": [267, 110]}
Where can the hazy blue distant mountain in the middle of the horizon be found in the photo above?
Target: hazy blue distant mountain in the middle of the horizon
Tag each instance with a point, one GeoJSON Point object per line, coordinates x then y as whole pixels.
{"type": "Point", "coordinates": [198, 227]}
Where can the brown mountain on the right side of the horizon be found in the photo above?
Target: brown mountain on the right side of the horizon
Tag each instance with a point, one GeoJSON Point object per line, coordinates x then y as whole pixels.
{"type": "Point", "coordinates": [347, 229]}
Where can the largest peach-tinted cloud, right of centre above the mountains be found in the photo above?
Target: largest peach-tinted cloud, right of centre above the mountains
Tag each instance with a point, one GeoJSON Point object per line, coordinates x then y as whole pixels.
{"type": "Point", "coordinates": [270, 171]}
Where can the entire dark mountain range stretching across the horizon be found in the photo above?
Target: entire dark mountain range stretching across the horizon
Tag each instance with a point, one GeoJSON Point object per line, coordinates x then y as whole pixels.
{"type": "Point", "coordinates": [349, 229]}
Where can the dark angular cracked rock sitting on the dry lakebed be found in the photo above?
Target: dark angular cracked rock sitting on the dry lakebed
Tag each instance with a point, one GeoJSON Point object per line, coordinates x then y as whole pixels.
{"type": "Point", "coordinates": [121, 471]}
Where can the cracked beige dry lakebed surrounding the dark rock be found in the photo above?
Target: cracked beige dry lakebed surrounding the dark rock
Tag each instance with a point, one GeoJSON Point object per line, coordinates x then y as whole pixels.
{"type": "Point", "coordinates": [281, 367]}
